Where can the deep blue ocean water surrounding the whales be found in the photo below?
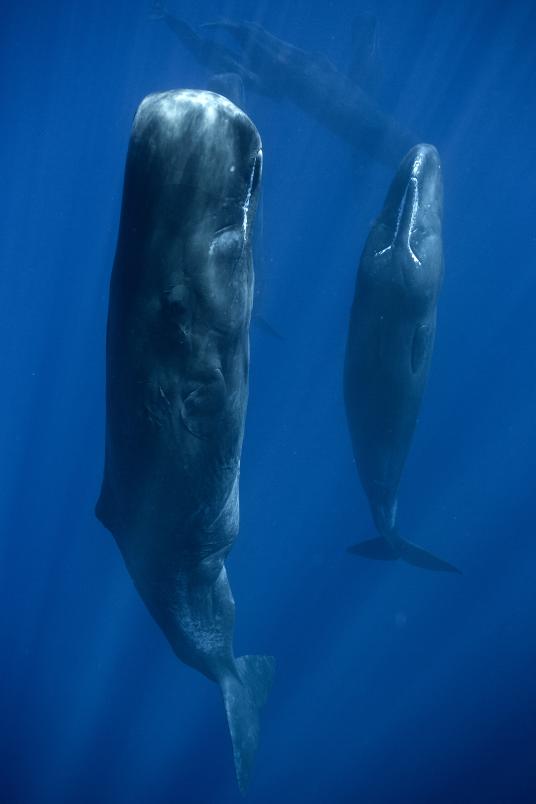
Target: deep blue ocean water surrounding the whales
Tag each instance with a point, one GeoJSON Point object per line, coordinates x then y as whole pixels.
{"type": "Point", "coordinates": [393, 684]}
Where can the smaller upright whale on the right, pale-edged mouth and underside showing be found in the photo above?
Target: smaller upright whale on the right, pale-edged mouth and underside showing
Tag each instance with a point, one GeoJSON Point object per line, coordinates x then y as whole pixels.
{"type": "Point", "coordinates": [390, 343]}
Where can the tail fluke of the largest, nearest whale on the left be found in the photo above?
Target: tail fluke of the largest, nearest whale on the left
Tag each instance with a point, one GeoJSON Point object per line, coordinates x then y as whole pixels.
{"type": "Point", "coordinates": [243, 696]}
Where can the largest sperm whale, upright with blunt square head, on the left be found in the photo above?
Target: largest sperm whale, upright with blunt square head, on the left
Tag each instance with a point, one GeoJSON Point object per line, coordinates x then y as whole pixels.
{"type": "Point", "coordinates": [177, 381]}
